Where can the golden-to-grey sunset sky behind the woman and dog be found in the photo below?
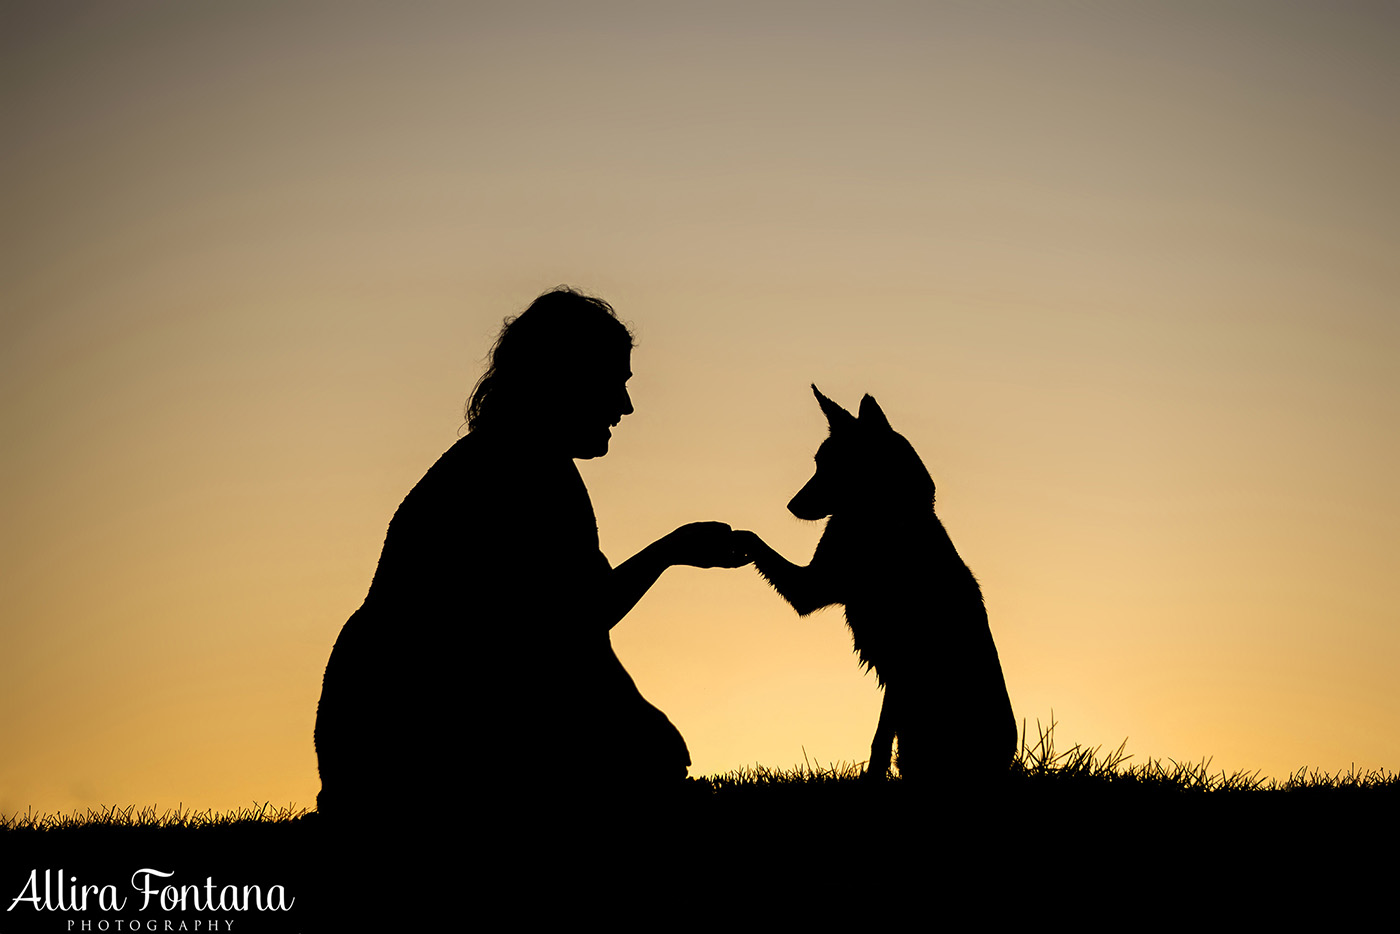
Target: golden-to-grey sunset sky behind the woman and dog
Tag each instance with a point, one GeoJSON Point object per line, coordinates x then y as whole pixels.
{"type": "Point", "coordinates": [1125, 275]}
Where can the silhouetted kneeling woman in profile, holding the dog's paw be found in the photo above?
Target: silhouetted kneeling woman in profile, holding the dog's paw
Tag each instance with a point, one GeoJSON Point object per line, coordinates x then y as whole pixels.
{"type": "Point", "coordinates": [481, 656]}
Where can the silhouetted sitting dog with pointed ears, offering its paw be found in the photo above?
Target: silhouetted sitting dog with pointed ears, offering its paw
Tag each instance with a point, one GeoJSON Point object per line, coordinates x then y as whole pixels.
{"type": "Point", "coordinates": [913, 607]}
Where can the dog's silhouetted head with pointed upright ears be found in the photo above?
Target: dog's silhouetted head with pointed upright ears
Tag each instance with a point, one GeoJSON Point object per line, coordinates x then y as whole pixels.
{"type": "Point", "coordinates": [863, 464]}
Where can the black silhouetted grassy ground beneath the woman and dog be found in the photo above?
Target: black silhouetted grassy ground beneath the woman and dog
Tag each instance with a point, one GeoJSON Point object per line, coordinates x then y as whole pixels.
{"type": "Point", "coordinates": [1070, 831]}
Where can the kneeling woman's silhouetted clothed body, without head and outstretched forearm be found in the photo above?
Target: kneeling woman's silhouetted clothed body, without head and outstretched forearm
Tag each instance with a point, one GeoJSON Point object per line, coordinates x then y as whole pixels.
{"type": "Point", "coordinates": [482, 635]}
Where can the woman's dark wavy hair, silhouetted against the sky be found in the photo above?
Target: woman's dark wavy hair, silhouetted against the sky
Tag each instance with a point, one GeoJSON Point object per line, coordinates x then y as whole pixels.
{"type": "Point", "coordinates": [561, 334]}
